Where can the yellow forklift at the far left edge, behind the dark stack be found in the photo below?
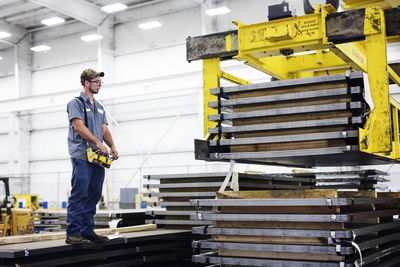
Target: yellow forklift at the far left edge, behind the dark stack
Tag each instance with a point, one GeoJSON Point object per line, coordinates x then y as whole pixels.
{"type": "Point", "coordinates": [13, 221]}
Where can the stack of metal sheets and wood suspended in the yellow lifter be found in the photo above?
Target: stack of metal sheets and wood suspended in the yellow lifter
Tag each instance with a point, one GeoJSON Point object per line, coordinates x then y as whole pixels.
{"type": "Point", "coordinates": [302, 122]}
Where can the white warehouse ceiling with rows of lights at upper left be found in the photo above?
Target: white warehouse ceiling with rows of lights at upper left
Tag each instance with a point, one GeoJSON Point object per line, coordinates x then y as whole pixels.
{"type": "Point", "coordinates": [20, 17]}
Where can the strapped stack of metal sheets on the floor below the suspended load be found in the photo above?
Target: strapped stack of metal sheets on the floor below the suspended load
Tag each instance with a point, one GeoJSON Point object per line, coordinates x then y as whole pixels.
{"type": "Point", "coordinates": [301, 228]}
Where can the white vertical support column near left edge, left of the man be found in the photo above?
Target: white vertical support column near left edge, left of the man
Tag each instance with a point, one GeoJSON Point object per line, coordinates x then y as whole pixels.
{"type": "Point", "coordinates": [19, 134]}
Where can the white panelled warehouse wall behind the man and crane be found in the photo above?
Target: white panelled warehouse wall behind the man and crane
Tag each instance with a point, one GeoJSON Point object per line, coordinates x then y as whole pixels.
{"type": "Point", "coordinates": [156, 100]}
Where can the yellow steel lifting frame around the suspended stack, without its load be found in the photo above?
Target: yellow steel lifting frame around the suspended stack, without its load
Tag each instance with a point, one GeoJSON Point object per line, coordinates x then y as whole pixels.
{"type": "Point", "coordinates": [264, 46]}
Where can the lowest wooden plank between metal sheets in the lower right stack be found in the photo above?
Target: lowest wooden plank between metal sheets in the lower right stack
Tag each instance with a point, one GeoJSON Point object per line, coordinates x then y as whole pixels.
{"type": "Point", "coordinates": [279, 255]}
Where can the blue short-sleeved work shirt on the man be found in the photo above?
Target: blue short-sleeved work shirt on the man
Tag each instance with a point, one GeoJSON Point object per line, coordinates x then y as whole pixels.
{"type": "Point", "coordinates": [96, 117]}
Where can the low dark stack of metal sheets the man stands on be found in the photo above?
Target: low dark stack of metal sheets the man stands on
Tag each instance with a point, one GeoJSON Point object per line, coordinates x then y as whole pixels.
{"type": "Point", "coordinates": [145, 248]}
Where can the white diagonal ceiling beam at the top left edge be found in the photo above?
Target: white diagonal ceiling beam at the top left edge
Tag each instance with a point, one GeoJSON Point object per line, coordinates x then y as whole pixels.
{"type": "Point", "coordinates": [77, 9]}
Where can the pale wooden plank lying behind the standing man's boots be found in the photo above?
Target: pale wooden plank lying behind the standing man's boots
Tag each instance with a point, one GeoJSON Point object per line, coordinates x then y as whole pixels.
{"type": "Point", "coordinates": [55, 236]}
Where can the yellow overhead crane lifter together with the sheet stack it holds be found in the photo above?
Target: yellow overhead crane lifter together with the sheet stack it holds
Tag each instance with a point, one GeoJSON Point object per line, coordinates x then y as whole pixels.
{"type": "Point", "coordinates": [274, 123]}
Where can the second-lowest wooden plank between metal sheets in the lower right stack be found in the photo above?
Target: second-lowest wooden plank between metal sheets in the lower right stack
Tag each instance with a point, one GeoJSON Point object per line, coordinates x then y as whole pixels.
{"type": "Point", "coordinates": [271, 239]}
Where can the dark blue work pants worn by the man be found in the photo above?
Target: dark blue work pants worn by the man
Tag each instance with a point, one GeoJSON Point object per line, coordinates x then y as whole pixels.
{"type": "Point", "coordinates": [87, 184]}
